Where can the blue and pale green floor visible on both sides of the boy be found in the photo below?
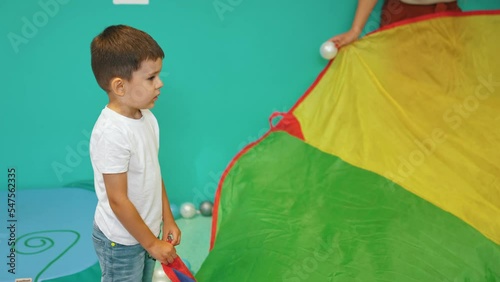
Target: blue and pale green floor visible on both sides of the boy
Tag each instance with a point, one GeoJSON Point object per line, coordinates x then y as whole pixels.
{"type": "Point", "coordinates": [52, 232]}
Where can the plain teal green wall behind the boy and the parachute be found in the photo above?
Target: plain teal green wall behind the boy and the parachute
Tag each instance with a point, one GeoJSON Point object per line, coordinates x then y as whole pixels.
{"type": "Point", "coordinates": [225, 72]}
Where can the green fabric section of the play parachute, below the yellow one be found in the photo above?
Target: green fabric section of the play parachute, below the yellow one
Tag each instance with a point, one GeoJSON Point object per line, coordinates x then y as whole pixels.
{"type": "Point", "coordinates": [289, 212]}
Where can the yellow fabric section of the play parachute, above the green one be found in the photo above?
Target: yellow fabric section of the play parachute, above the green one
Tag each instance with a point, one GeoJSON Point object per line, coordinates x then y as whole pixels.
{"type": "Point", "coordinates": [420, 105]}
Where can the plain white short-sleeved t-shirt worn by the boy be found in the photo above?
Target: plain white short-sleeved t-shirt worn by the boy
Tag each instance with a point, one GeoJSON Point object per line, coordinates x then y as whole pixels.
{"type": "Point", "coordinates": [120, 144]}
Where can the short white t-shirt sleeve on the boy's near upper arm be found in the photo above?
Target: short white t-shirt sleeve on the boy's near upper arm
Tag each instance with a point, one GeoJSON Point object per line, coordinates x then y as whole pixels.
{"type": "Point", "coordinates": [111, 152]}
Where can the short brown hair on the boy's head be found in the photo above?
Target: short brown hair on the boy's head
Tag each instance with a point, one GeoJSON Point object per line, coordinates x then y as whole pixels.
{"type": "Point", "coordinates": [119, 51]}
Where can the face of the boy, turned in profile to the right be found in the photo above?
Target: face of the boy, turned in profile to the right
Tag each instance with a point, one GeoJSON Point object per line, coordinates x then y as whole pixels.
{"type": "Point", "coordinates": [143, 89]}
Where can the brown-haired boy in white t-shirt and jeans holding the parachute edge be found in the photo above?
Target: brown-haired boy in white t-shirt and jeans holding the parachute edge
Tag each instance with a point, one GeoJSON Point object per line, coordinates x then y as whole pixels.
{"type": "Point", "coordinates": [132, 201]}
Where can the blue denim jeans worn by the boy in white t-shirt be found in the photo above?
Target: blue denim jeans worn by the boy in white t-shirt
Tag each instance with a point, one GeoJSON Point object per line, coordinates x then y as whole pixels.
{"type": "Point", "coordinates": [120, 263]}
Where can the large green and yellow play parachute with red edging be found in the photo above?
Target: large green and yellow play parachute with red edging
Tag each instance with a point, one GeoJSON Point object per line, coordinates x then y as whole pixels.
{"type": "Point", "coordinates": [387, 169]}
